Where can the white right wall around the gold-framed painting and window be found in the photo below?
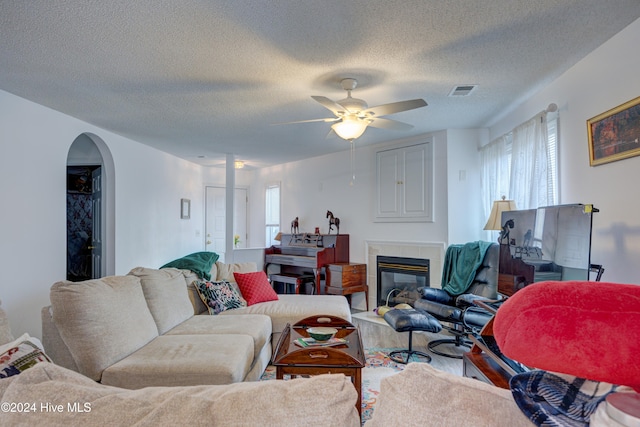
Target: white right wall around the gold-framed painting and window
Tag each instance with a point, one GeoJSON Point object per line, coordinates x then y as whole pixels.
{"type": "Point", "coordinates": [605, 79]}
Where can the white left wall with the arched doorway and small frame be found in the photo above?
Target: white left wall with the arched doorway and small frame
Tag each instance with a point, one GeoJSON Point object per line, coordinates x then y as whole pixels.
{"type": "Point", "coordinates": [35, 141]}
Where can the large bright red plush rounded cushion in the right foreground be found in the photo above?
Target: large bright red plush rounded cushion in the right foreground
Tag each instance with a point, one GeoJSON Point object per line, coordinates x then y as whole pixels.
{"type": "Point", "coordinates": [586, 329]}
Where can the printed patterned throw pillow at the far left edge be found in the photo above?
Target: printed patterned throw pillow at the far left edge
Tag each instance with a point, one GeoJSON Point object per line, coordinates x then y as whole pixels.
{"type": "Point", "coordinates": [19, 355]}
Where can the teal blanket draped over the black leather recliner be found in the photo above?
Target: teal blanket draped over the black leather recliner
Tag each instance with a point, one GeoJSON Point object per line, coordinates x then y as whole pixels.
{"type": "Point", "coordinates": [460, 265]}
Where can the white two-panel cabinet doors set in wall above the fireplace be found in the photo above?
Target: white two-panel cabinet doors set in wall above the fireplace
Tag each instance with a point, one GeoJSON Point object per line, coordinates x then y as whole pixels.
{"type": "Point", "coordinates": [404, 183]}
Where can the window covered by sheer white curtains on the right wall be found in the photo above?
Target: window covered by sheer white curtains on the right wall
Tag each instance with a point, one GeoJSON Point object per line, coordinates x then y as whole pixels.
{"type": "Point", "coordinates": [522, 165]}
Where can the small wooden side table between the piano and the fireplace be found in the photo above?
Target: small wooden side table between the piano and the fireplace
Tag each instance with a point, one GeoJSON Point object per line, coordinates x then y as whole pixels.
{"type": "Point", "coordinates": [346, 279]}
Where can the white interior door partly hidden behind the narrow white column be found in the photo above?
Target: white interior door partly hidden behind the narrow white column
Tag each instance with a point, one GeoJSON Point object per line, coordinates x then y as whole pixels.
{"type": "Point", "coordinates": [215, 219]}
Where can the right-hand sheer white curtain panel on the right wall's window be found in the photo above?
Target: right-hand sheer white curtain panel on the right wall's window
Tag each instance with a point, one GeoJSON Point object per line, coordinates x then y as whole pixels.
{"type": "Point", "coordinates": [529, 179]}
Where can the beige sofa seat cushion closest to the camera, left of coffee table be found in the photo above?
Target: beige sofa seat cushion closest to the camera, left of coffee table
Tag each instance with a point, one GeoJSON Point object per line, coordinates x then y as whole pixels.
{"type": "Point", "coordinates": [212, 359]}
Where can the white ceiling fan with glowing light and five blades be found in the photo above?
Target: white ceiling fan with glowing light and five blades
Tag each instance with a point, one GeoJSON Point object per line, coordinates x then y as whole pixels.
{"type": "Point", "coordinates": [353, 115]}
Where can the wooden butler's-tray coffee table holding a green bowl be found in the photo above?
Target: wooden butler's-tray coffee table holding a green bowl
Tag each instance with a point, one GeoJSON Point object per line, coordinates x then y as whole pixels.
{"type": "Point", "coordinates": [348, 359]}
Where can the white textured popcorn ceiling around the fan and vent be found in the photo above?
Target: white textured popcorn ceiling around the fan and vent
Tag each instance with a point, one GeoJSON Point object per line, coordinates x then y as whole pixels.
{"type": "Point", "coordinates": [204, 78]}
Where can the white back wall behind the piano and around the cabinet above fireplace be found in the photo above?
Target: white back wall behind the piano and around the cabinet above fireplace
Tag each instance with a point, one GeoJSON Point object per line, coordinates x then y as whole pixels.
{"type": "Point", "coordinates": [313, 186]}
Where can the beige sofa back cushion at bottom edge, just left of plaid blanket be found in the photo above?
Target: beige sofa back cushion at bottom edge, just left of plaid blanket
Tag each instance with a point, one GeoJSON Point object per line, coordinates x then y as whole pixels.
{"type": "Point", "coordinates": [422, 395]}
